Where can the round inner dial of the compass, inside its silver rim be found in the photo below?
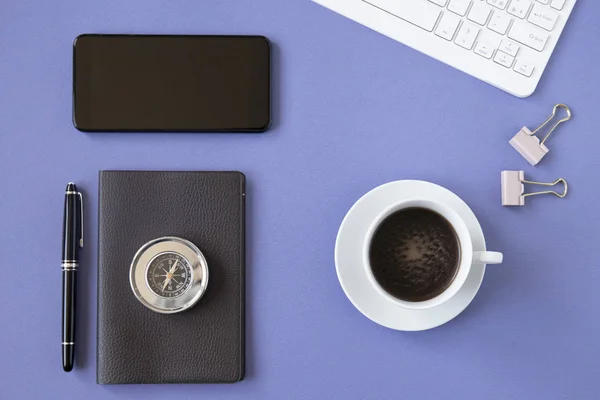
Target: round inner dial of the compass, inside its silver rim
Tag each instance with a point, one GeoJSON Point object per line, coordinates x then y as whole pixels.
{"type": "Point", "coordinates": [169, 275]}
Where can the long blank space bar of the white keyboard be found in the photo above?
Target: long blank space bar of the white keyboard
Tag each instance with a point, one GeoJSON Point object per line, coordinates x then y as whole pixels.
{"type": "Point", "coordinates": [423, 15]}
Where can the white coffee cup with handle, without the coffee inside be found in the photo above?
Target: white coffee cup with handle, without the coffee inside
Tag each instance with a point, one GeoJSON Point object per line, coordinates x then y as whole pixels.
{"type": "Point", "coordinates": [468, 257]}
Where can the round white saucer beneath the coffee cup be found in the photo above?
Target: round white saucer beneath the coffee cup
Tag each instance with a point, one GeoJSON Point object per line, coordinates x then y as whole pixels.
{"type": "Point", "coordinates": [353, 276]}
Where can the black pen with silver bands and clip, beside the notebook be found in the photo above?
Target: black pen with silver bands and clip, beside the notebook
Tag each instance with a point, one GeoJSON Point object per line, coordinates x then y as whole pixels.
{"type": "Point", "coordinates": [72, 242]}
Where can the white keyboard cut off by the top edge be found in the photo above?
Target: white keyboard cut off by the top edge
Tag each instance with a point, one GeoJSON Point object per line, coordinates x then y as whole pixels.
{"type": "Point", "coordinates": [506, 43]}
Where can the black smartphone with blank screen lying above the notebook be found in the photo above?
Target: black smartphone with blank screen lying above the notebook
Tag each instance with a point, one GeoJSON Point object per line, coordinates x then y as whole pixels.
{"type": "Point", "coordinates": [171, 83]}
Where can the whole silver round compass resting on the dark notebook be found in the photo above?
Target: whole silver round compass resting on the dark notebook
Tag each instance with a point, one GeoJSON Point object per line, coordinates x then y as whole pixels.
{"type": "Point", "coordinates": [168, 275]}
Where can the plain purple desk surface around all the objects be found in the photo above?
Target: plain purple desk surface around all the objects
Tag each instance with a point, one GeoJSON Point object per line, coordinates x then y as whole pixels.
{"type": "Point", "coordinates": [352, 110]}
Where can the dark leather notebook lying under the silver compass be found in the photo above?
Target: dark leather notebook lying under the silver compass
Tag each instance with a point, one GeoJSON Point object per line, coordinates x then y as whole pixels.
{"type": "Point", "coordinates": [204, 343]}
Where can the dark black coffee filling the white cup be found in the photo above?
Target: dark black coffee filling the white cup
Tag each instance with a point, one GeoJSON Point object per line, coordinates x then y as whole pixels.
{"type": "Point", "coordinates": [414, 254]}
